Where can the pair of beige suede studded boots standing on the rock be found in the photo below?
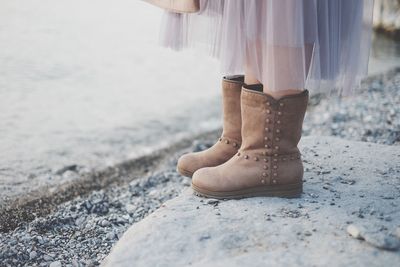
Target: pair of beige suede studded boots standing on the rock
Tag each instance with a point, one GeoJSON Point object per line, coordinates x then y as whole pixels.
{"type": "Point", "coordinates": [257, 153]}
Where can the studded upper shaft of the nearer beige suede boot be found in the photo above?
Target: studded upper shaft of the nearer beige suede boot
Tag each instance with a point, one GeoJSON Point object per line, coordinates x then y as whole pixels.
{"type": "Point", "coordinates": [277, 122]}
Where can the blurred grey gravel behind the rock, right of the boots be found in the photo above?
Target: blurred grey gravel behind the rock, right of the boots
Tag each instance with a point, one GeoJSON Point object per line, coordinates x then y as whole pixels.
{"type": "Point", "coordinates": [371, 115]}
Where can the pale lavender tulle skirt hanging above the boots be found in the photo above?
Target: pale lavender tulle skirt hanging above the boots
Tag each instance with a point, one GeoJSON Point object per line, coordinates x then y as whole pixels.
{"type": "Point", "coordinates": [286, 44]}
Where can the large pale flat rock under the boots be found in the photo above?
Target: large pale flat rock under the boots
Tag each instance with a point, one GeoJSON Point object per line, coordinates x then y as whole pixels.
{"type": "Point", "coordinates": [346, 183]}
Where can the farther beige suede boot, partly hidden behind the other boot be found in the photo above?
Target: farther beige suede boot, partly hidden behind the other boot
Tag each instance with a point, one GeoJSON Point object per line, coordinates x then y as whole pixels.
{"type": "Point", "coordinates": [230, 140]}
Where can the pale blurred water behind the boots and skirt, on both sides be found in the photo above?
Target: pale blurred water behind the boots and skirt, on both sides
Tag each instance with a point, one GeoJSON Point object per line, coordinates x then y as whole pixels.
{"type": "Point", "coordinates": [84, 82]}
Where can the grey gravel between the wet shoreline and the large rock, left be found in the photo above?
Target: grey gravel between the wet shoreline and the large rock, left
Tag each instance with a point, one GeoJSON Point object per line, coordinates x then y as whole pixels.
{"type": "Point", "coordinates": [81, 232]}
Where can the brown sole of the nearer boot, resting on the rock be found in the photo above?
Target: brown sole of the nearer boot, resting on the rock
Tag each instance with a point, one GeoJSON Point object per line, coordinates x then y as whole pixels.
{"type": "Point", "coordinates": [285, 191]}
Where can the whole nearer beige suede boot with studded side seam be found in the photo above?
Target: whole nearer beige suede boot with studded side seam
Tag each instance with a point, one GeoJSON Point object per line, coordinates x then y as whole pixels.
{"type": "Point", "coordinates": [268, 162]}
